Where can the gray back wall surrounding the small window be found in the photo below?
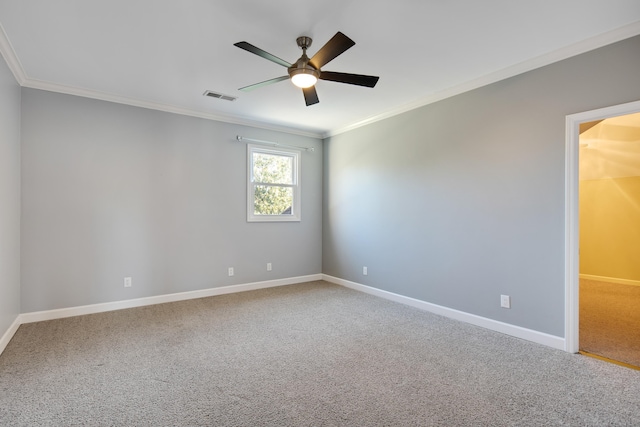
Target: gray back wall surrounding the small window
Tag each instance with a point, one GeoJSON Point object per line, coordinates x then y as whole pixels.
{"type": "Point", "coordinates": [110, 191]}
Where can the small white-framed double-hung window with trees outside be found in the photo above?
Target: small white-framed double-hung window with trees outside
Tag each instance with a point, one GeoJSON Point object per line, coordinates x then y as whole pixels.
{"type": "Point", "coordinates": [273, 184]}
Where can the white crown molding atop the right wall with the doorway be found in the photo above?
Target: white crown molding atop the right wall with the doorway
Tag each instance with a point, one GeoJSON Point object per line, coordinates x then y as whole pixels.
{"type": "Point", "coordinates": [566, 52]}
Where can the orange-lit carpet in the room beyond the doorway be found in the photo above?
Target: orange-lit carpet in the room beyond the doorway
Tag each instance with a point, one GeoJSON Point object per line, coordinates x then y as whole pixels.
{"type": "Point", "coordinates": [610, 320]}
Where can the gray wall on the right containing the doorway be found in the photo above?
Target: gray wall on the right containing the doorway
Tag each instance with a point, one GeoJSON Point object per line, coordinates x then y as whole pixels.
{"type": "Point", "coordinates": [463, 200]}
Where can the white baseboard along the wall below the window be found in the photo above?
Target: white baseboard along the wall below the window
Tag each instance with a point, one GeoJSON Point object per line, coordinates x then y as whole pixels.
{"type": "Point", "coordinates": [39, 316]}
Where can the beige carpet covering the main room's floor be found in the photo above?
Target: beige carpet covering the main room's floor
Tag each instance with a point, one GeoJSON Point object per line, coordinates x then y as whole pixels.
{"type": "Point", "coordinates": [312, 354]}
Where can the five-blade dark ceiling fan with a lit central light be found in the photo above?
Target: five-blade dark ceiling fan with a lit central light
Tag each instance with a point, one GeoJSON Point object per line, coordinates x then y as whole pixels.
{"type": "Point", "coordinates": [305, 72]}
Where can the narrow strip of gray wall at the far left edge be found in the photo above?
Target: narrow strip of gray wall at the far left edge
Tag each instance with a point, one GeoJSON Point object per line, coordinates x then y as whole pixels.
{"type": "Point", "coordinates": [9, 198]}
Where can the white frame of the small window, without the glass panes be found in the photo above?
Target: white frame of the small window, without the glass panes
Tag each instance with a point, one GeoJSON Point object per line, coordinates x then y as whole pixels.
{"type": "Point", "coordinates": [296, 207]}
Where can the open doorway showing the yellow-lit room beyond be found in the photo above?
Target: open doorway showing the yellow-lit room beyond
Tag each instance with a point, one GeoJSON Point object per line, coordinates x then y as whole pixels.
{"type": "Point", "coordinates": [609, 241]}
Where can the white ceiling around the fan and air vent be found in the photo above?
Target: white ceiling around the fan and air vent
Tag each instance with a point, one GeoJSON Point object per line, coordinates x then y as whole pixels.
{"type": "Point", "coordinates": [164, 53]}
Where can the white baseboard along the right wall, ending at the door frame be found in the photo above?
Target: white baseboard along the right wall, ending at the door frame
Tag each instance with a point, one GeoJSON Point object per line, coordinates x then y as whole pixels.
{"type": "Point", "coordinates": [494, 325]}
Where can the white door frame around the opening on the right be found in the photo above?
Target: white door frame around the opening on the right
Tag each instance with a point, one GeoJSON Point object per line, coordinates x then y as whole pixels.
{"type": "Point", "coordinates": [572, 238]}
